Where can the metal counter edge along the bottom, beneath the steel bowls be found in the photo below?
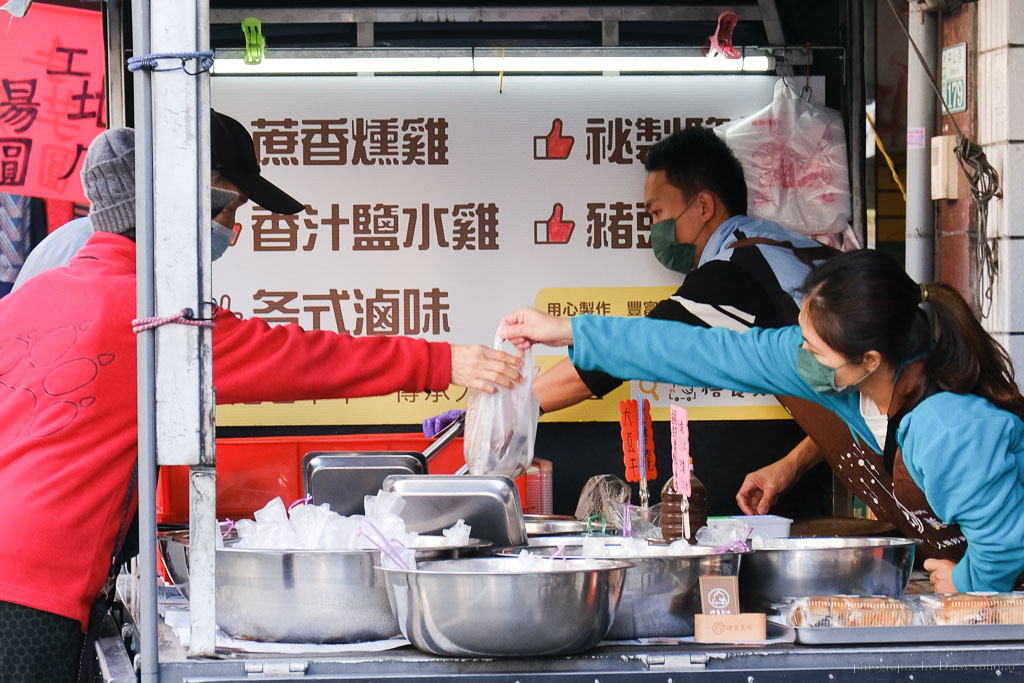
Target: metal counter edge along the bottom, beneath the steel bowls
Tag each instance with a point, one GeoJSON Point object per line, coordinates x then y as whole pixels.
{"type": "Point", "coordinates": [978, 662]}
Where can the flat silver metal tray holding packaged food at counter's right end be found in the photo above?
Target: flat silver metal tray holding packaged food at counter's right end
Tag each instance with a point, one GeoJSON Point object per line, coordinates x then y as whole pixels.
{"type": "Point", "coordinates": [910, 634]}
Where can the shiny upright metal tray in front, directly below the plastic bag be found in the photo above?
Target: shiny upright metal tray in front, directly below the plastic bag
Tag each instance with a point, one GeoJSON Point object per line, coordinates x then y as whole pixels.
{"type": "Point", "coordinates": [489, 504]}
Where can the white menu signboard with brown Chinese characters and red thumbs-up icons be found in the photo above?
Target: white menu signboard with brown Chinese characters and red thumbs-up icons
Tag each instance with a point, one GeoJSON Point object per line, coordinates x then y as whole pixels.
{"type": "Point", "coordinates": [435, 205]}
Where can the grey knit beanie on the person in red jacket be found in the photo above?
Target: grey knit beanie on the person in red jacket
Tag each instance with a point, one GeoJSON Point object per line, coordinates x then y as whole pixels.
{"type": "Point", "coordinates": [109, 181]}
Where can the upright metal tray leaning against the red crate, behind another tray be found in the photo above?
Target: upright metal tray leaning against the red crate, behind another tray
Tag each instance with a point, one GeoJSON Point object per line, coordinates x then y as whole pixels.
{"type": "Point", "coordinates": [344, 480]}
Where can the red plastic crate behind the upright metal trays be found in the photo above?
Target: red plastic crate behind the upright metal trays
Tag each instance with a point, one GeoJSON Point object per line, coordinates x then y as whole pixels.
{"type": "Point", "coordinates": [251, 472]}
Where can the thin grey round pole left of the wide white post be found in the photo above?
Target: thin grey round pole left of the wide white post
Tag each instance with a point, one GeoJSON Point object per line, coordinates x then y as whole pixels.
{"type": "Point", "coordinates": [147, 360]}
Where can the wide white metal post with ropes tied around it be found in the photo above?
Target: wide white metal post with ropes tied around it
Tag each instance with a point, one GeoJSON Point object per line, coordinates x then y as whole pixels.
{"type": "Point", "coordinates": [182, 280]}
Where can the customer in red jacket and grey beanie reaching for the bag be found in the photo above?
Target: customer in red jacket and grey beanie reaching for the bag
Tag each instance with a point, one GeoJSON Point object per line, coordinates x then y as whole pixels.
{"type": "Point", "coordinates": [69, 434]}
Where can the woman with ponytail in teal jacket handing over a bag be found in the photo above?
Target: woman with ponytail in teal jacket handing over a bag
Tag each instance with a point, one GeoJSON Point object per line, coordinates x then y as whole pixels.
{"type": "Point", "coordinates": [899, 362]}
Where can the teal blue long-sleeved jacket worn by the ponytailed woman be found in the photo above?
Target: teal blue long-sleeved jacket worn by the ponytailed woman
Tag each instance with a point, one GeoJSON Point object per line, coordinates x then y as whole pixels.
{"type": "Point", "coordinates": [964, 453]}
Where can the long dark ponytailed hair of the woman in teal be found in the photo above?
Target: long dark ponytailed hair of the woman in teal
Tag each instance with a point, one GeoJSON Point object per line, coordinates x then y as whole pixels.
{"type": "Point", "coordinates": [864, 302]}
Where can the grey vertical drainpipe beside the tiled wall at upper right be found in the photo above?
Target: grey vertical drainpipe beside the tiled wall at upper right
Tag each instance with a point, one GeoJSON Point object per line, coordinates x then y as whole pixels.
{"type": "Point", "coordinates": [921, 126]}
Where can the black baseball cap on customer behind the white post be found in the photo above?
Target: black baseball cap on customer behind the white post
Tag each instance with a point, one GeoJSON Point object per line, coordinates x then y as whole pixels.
{"type": "Point", "coordinates": [234, 155]}
